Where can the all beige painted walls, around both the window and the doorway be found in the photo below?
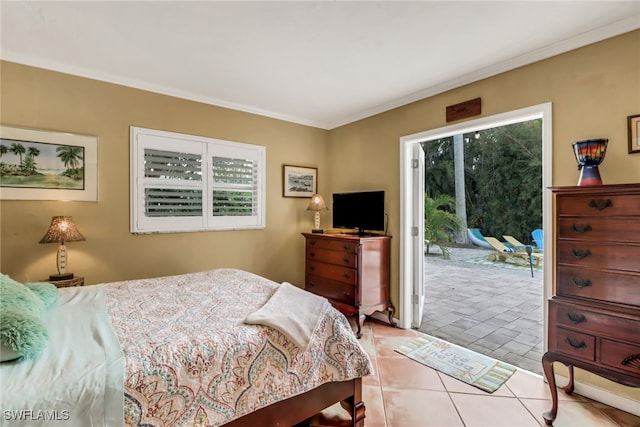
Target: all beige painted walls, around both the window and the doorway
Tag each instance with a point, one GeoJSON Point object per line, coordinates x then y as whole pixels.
{"type": "Point", "coordinates": [592, 90]}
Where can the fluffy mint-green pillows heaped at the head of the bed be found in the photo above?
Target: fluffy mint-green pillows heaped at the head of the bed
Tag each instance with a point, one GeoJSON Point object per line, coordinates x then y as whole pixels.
{"type": "Point", "coordinates": [22, 328]}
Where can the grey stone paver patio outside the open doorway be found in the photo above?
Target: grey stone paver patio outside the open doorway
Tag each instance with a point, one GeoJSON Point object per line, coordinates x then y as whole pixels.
{"type": "Point", "coordinates": [493, 310]}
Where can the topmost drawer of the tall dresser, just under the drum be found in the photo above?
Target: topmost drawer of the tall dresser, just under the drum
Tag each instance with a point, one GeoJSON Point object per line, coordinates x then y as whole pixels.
{"type": "Point", "coordinates": [599, 205]}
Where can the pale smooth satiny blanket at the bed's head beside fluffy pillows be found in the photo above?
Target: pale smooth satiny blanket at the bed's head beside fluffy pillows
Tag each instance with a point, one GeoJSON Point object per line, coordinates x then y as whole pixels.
{"type": "Point", "coordinates": [78, 379]}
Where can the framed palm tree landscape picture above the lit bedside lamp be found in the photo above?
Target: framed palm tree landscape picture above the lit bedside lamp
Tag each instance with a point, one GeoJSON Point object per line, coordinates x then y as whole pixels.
{"type": "Point", "coordinates": [46, 165]}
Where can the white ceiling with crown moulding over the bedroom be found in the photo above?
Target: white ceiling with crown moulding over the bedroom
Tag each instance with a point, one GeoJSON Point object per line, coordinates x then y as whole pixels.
{"type": "Point", "coordinates": [321, 64]}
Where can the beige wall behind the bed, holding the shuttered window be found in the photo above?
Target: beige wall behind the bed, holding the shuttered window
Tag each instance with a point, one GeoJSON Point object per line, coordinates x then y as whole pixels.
{"type": "Point", "coordinates": [36, 98]}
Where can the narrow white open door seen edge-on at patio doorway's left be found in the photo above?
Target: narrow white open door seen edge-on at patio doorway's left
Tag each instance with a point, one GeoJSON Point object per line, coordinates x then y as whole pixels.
{"type": "Point", "coordinates": [417, 191]}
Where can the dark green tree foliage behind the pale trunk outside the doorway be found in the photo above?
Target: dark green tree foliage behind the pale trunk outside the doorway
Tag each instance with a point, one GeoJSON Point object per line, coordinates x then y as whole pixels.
{"type": "Point", "coordinates": [503, 177]}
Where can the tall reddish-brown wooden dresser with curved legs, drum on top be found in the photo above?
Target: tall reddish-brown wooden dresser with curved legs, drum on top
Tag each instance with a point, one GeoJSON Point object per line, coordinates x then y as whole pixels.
{"type": "Point", "coordinates": [594, 316]}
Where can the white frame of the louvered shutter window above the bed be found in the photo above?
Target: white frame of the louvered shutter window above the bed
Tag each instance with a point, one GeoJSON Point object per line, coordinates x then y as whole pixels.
{"type": "Point", "coordinates": [207, 148]}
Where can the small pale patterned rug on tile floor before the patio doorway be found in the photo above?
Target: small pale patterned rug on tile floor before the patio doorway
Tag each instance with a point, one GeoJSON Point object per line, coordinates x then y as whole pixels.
{"type": "Point", "coordinates": [458, 362]}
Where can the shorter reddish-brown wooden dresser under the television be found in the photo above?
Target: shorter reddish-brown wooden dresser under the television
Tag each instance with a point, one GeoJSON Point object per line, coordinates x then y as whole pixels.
{"type": "Point", "coordinates": [352, 272]}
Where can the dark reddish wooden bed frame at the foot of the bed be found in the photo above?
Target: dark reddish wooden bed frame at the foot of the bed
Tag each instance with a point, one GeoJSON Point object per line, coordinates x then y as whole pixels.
{"type": "Point", "coordinates": [296, 410]}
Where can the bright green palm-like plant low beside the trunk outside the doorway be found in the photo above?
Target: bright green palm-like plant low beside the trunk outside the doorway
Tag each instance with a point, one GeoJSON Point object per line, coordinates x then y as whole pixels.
{"type": "Point", "coordinates": [440, 222]}
